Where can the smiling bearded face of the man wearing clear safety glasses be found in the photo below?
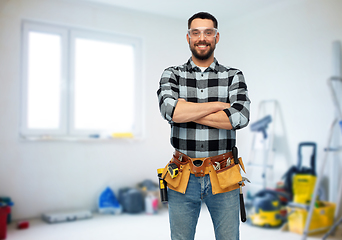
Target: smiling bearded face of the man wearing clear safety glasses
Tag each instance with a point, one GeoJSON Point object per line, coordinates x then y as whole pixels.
{"type": "Point", "coordinates": [202, 47]}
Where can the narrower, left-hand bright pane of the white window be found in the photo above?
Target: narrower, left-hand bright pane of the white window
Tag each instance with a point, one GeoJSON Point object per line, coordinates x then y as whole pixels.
{"type": "Point", "coordinates": [44, 74]}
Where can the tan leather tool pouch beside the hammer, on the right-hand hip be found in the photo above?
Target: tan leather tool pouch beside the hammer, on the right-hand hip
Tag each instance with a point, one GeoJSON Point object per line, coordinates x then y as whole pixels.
{"type": "Point", "coordinates": [226, 179]}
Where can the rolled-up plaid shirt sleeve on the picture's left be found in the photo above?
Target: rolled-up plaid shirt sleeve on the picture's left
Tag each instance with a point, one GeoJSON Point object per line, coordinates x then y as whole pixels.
{"type": "Point", "coordinates": [168, 93]}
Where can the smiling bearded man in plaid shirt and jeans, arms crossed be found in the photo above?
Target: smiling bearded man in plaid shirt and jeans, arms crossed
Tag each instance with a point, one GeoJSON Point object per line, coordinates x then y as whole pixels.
{"type": "Point", "coordinates": [205, 103]}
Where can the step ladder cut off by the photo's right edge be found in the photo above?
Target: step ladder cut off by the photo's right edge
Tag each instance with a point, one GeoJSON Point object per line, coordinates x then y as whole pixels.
{"type": "Point", "coordinates": [330, 149]}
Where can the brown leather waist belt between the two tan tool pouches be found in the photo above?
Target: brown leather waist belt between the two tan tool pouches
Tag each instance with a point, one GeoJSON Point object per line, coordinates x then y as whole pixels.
{"type": "Point", "coordinates": [199, 166]}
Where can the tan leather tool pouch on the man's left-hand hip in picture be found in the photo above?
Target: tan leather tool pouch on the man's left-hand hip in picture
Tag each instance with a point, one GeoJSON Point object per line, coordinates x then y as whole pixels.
{"type": "Point", "coordinates": [179, 183]}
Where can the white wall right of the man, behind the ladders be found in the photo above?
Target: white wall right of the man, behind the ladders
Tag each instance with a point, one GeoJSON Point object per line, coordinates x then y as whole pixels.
{"type": "Point", "coordinates": [285, 52]}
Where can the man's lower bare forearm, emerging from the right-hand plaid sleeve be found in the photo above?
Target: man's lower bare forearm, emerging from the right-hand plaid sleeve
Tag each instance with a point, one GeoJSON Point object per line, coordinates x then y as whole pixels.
{"type": "Point", "coordinates": [217, 120]}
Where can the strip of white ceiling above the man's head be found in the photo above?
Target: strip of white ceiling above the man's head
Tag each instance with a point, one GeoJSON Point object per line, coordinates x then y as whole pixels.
{"type": "Point", "coordinates": [183, 9]}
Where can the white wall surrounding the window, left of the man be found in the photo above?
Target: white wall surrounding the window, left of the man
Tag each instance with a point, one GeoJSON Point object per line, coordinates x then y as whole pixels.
{"type": "Point", "coordinates": [49, 176]}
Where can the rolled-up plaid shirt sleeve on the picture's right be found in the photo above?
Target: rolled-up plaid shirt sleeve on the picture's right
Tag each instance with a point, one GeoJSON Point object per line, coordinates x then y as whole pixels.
{"type": "Point", "coordinates": [238, 113]}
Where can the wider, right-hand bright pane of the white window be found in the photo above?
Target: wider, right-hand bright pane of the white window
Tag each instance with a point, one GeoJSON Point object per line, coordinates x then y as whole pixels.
{"type": "Point", "coordinates": [104, 83]}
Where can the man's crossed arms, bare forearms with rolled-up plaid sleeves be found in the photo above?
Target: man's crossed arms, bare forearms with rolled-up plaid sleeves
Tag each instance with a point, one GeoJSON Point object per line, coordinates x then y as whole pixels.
{"type": "Point", "coordinates": [220, 115]}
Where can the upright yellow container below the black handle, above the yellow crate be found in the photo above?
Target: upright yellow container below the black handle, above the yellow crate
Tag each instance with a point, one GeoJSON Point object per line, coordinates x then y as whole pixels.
{"type": "Point", "coordinates": [303, 187]}
